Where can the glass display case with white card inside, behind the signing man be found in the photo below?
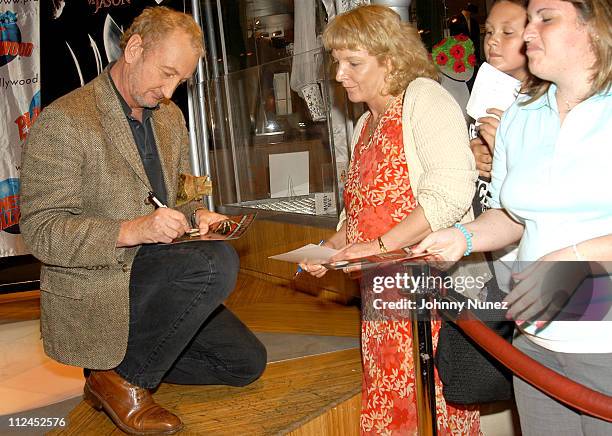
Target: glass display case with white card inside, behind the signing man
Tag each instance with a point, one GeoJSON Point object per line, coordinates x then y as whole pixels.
{"type": "Point", "coordinates": [272, 147]}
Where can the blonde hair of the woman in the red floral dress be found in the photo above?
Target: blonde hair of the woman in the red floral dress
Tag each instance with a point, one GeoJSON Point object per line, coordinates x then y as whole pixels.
{"type": "Point", "coordinates": [379, 31]}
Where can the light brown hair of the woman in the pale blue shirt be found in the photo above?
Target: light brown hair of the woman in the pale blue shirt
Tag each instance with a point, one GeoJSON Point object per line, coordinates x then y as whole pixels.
{"type": "Point", "coordinates": [597, 15]}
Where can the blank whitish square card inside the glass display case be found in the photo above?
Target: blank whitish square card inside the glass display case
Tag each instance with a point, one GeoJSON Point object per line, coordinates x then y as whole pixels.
{"type": "Point", "coordinates": [289, 174]}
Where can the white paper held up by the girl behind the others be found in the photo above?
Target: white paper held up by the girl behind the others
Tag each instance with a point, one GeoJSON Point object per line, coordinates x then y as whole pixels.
{"type": "Point", "coordinates": [492, 89]}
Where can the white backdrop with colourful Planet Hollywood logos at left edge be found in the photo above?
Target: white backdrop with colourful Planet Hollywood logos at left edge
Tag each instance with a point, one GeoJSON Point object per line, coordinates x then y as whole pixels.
{"type": "Point", "coordinates": [19, 107]}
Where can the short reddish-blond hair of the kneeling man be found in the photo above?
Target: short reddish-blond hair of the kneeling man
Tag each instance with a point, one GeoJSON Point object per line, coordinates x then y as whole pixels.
{"type": "Point", "coordinates": [153, 24]}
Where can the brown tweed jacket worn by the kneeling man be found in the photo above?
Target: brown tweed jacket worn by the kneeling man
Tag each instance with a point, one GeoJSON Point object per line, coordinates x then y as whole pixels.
{"type": "Point", "coordinates": [81, 177]}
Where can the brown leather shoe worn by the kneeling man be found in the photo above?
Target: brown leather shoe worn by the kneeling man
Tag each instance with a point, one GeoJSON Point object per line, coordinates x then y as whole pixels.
{"type": "Point", "coordinates": [131, 408]}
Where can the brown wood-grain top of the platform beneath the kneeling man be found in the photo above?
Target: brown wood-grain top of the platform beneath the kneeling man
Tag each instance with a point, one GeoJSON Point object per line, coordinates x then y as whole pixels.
{"type": "Point", "coordinates": [289, 395]}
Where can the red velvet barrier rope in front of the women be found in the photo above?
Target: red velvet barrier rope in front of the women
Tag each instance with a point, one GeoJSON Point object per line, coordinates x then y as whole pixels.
{"type": "Point", "coordinates": [548, 381]}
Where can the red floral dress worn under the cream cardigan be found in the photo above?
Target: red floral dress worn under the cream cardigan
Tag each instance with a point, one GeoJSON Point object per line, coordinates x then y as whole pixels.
{"type": "Point", "coordinates": [377, 196]}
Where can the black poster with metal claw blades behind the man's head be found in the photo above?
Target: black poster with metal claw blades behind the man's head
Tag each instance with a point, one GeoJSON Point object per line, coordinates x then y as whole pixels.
{"type": "Point", "coordinates": [79, 38]}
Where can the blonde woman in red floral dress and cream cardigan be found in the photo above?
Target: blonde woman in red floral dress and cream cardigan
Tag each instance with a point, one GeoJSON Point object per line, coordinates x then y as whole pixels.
{"type": "Point", "coordinates": [411, 172]}
